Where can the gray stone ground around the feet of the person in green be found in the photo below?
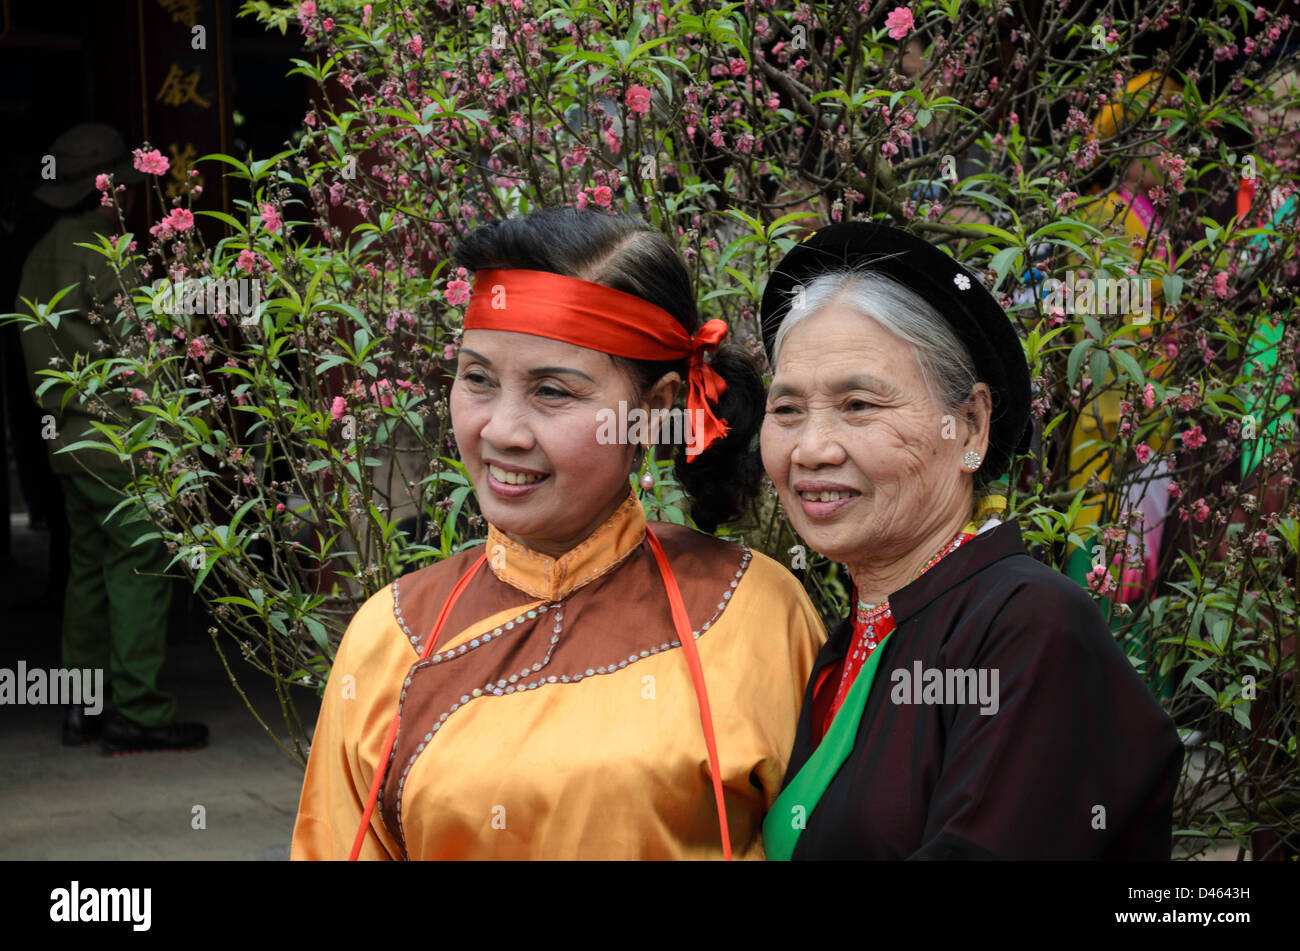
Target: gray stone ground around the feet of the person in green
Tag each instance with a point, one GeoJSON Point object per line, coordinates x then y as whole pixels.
{"type": "Point", "coordinates": [62, 802]}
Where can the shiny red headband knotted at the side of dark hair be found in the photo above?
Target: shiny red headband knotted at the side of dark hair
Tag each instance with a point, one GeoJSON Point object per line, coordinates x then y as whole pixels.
{"type": "Point", "coordinates": [599, 318]}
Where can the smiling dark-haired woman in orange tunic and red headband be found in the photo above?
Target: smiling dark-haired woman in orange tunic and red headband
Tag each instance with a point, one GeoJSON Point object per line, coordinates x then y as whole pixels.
{"type": "Point", "coordinates": [587, 685]}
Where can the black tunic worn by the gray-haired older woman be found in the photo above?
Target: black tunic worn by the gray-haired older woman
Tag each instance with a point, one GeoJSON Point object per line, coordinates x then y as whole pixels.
{"type": "Point", "coordinates": [1078, 762]}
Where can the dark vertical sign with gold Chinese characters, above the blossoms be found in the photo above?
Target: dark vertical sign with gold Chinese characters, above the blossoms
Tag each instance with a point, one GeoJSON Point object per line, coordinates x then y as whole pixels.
{"type": "Point", "coordinates": [187, 99]}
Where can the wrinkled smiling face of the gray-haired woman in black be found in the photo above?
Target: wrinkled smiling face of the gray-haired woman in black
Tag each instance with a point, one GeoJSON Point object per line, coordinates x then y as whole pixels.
{"type": "Point", "coordinates": [856, 445]}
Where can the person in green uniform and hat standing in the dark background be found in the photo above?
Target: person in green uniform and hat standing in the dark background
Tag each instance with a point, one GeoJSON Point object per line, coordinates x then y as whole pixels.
{"type": "Point", "coordinates": [118, 598]}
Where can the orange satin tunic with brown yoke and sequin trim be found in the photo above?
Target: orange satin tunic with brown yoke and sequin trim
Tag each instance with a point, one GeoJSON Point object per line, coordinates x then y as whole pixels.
{"type": "Point", "coordinates": [557, 716]}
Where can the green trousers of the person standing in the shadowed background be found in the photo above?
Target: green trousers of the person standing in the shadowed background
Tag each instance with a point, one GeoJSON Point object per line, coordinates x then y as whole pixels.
{"type": "Point", "coordinates": [118, 603]}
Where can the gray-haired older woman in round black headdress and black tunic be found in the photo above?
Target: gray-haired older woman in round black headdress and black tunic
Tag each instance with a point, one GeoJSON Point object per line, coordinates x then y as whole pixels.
{"type": "Point", "coordinates": [976, 705]}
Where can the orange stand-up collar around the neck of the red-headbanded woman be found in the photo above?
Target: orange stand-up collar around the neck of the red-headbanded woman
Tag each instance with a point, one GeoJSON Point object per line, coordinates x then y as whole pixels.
{"type": "Point", "coordinates": [553, 579]}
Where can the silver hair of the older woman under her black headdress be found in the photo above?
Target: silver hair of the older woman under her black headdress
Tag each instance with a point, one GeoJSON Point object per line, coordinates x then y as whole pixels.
{"type": "Point", "coordinates": [944, 363]}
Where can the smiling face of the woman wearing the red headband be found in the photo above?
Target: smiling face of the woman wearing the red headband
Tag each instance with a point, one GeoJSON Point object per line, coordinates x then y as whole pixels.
{"type": "Point", "coordinates": [526, 414]}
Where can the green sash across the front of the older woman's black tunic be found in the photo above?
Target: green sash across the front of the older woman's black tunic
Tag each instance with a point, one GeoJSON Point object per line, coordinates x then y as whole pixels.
{"type": "Point", "coordinates": [791, 811]}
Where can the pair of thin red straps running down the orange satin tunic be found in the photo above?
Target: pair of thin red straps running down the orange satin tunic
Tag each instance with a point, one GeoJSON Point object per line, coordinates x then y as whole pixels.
{"type": "Point", "coordinates": [681, 620]}
